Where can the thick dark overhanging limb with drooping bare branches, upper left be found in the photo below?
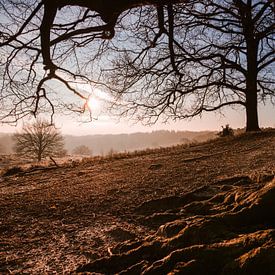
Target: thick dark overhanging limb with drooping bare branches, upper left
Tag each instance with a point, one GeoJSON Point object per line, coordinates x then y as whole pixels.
{"type": "Point", "coordinates": [45, 43]}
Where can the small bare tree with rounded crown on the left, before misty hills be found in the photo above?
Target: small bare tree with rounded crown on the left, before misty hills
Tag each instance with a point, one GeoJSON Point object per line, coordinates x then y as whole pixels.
{"type": "Point", "coordinates": [39, 140]}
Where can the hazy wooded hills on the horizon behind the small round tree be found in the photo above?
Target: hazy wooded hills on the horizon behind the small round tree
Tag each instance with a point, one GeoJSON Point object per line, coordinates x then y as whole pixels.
{"type": "Point", "coordinates": [103, 144]}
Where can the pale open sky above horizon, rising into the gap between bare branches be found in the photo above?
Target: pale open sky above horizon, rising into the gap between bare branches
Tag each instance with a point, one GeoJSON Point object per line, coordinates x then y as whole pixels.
{"type": "Point", "coordinates": [74, 125]}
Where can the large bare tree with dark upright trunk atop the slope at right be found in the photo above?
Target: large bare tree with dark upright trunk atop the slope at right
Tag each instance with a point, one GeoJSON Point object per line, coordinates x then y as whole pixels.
{"type": "Point", "coordinates": [202, 56]}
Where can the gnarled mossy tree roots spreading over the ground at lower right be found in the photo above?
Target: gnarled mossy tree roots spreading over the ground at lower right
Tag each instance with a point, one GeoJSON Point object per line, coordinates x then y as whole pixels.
{"type": "Point", "coordinates": [225, 228]}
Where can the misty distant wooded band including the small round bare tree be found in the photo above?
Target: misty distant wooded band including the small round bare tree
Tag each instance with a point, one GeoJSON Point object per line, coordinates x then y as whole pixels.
{"type": "Point", "coordinates": [41, 139]}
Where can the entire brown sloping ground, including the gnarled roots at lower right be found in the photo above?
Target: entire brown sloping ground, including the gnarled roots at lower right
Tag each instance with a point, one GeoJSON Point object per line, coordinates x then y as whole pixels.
{"type": "Point", "coordinates": [185, 209]}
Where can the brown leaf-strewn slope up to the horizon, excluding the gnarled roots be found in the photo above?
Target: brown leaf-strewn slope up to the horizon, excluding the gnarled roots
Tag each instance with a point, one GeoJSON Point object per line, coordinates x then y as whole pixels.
{"type": "Point", "coordinates": [55, 220]}
